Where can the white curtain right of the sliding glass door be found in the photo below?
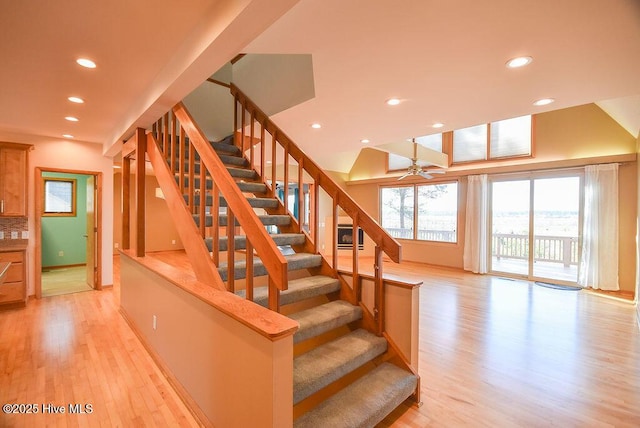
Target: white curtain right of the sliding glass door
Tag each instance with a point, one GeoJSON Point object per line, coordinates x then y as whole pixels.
{"type": "Point", "coordinates": [599, 261]}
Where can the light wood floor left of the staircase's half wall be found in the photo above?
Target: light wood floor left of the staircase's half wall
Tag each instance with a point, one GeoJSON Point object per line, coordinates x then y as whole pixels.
{"type": "Point", "coordinates": [77, 349]}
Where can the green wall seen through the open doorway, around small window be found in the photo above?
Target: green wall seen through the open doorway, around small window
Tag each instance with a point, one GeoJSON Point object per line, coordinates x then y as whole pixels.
{"type": "Point", "coordinates": [66, 234]}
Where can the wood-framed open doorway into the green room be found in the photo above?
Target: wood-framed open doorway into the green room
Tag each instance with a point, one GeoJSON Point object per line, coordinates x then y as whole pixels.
{"type": "Point", "coordinates": [68, 231]}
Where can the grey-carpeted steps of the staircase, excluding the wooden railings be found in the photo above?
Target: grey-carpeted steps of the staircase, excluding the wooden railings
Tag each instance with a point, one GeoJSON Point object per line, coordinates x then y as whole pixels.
{"type": "Point", "coordinates": [375, 393]}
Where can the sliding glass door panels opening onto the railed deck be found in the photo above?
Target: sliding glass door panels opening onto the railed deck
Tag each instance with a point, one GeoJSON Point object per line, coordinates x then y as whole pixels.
{"type": "Point", "coordinates": [535, 227]}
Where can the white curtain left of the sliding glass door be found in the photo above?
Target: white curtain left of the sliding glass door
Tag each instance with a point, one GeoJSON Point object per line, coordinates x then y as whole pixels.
{"type": "Point", "coordinates": [475, 242]}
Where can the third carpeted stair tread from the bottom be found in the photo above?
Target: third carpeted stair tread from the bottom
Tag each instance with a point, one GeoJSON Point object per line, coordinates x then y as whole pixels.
{"type": "Point", "coordinates": [320, 319]}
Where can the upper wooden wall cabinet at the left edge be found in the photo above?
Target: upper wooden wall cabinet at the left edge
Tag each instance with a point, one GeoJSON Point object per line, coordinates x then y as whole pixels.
{"type": "Point", "coordinates": [13, 179]}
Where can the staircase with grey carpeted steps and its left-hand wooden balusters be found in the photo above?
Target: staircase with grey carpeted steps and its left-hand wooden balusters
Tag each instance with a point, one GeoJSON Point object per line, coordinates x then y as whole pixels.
{"type": "Point", "coordinates": [343, 370]}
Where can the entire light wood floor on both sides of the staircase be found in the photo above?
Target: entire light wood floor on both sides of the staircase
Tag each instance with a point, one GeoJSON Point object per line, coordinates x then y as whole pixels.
{"type": "Point", "coordinates": [493, 352]}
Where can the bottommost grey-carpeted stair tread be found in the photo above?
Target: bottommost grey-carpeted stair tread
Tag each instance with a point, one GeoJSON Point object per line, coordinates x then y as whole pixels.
{"type": "Point", "coordinates": [364, 403]}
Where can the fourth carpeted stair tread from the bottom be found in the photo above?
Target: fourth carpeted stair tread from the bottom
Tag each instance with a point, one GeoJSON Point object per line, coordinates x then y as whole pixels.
{"type": "Point", "coordinates": [298, 289]}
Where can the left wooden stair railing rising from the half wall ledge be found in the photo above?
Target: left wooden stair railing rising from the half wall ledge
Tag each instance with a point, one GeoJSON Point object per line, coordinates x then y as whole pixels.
{"type": "Point", "coordinates": [181, 141]}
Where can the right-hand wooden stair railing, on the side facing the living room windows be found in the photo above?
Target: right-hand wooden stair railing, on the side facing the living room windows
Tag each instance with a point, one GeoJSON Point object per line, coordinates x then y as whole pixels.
{"type": "Point", "coordinates": [254, 128]}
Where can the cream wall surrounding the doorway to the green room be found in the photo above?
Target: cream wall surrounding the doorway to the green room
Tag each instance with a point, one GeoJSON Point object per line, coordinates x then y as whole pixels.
{"type": "Point", "coordinates": [71, 155]}
